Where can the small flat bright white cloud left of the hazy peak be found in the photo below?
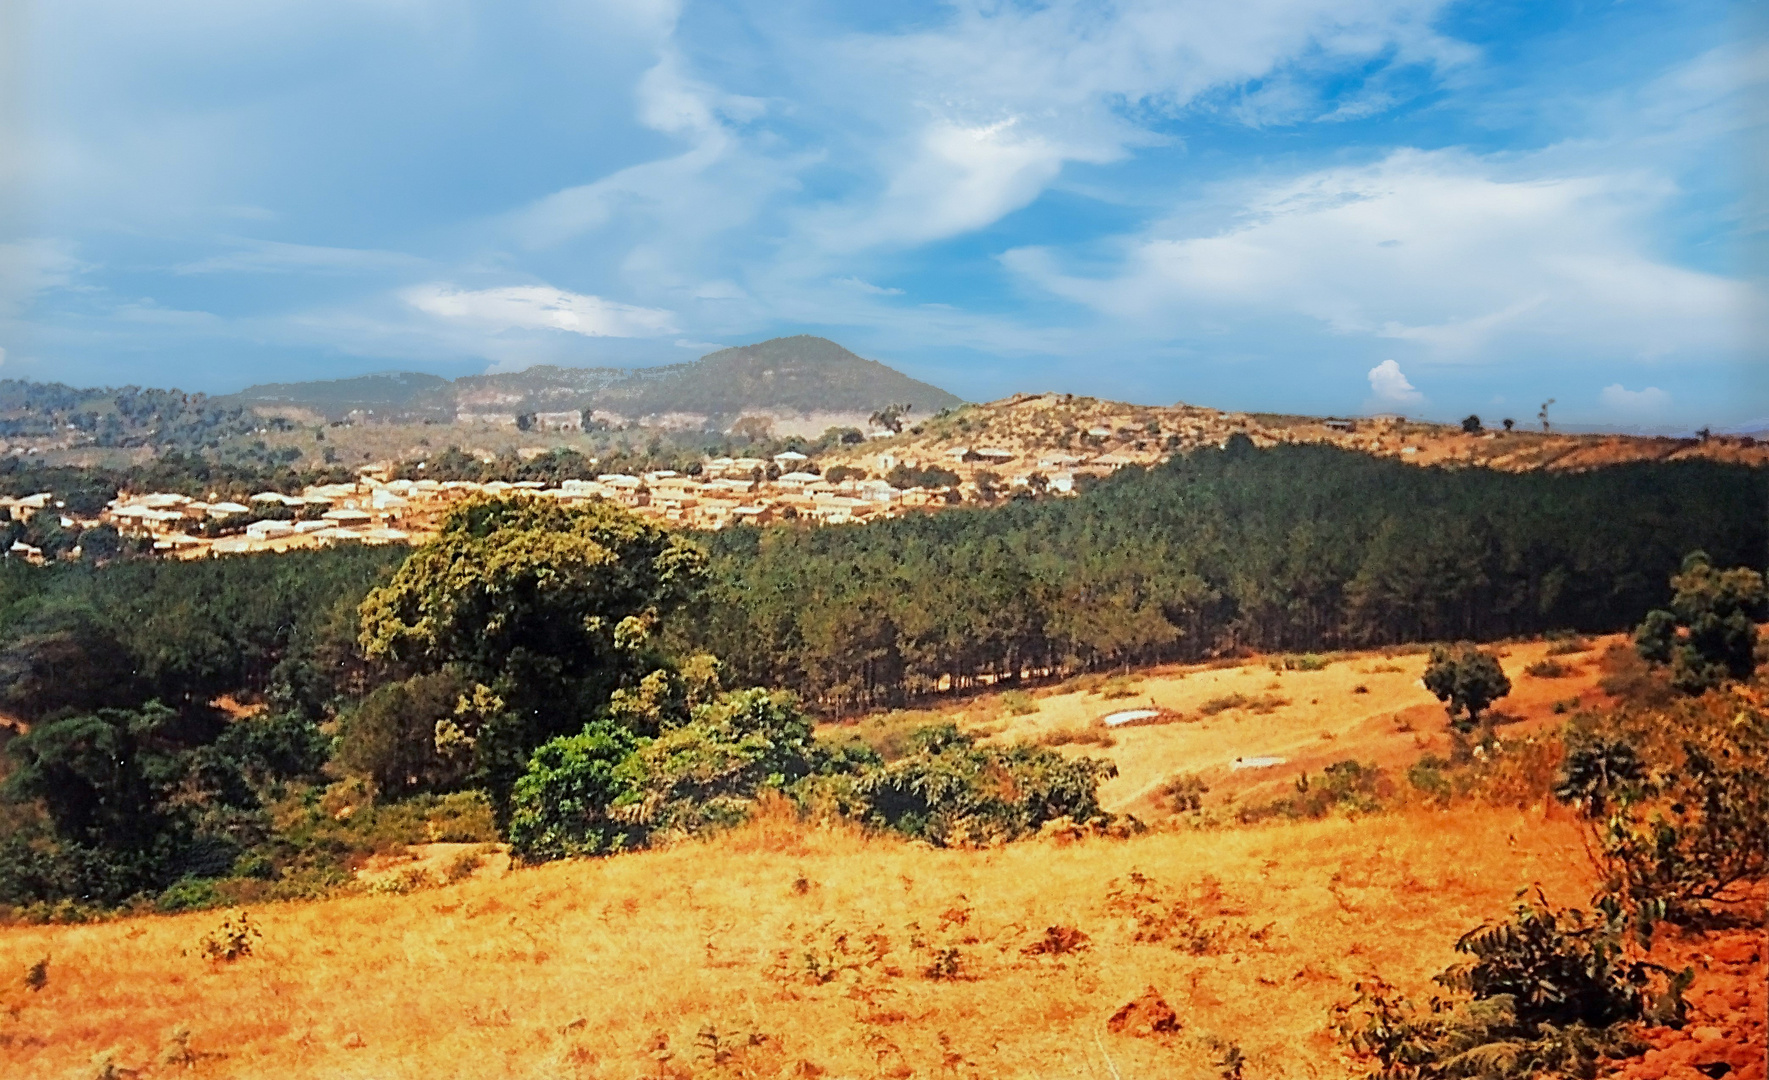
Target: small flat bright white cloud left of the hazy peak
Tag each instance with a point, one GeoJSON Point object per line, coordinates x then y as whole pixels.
{"type": "Point", "coordinates": [540, 308]}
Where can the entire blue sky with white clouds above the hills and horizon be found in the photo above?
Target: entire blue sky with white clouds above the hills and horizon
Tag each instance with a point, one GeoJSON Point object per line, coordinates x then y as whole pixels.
{"type": "Point", "coordinates": [1285, 206]}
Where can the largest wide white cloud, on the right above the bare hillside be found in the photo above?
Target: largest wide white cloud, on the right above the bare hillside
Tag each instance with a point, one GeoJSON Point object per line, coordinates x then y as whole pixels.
{"type": "Point", "coordinates": [1466, 257]}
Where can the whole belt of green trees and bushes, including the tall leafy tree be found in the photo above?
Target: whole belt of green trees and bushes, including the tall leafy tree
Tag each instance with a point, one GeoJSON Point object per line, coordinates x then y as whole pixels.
{"type": "Point", "coordinates": [402, 697]}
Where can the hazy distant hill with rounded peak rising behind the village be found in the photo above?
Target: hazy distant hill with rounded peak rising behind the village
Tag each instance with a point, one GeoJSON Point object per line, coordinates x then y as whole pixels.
{"type": "Point", "coordinates": [786, 377]}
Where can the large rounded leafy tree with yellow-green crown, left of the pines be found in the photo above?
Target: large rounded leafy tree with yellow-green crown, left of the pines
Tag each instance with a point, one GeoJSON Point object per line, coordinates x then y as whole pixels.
{"type": "Point", "coordinates": [540, 611]}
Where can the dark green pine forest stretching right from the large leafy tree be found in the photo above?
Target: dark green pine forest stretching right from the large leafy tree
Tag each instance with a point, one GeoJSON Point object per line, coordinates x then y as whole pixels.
{"type": "Point", "coordinates": [1287, 549]}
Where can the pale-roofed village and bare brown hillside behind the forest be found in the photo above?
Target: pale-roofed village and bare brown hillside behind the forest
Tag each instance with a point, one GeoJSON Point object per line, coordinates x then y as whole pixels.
{"type": "Point", "coordinates": [1023, 446]}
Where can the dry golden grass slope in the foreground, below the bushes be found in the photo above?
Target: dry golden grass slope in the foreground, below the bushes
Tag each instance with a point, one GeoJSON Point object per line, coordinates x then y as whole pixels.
{"type": "Point", "coordinates": [792, 952]}
